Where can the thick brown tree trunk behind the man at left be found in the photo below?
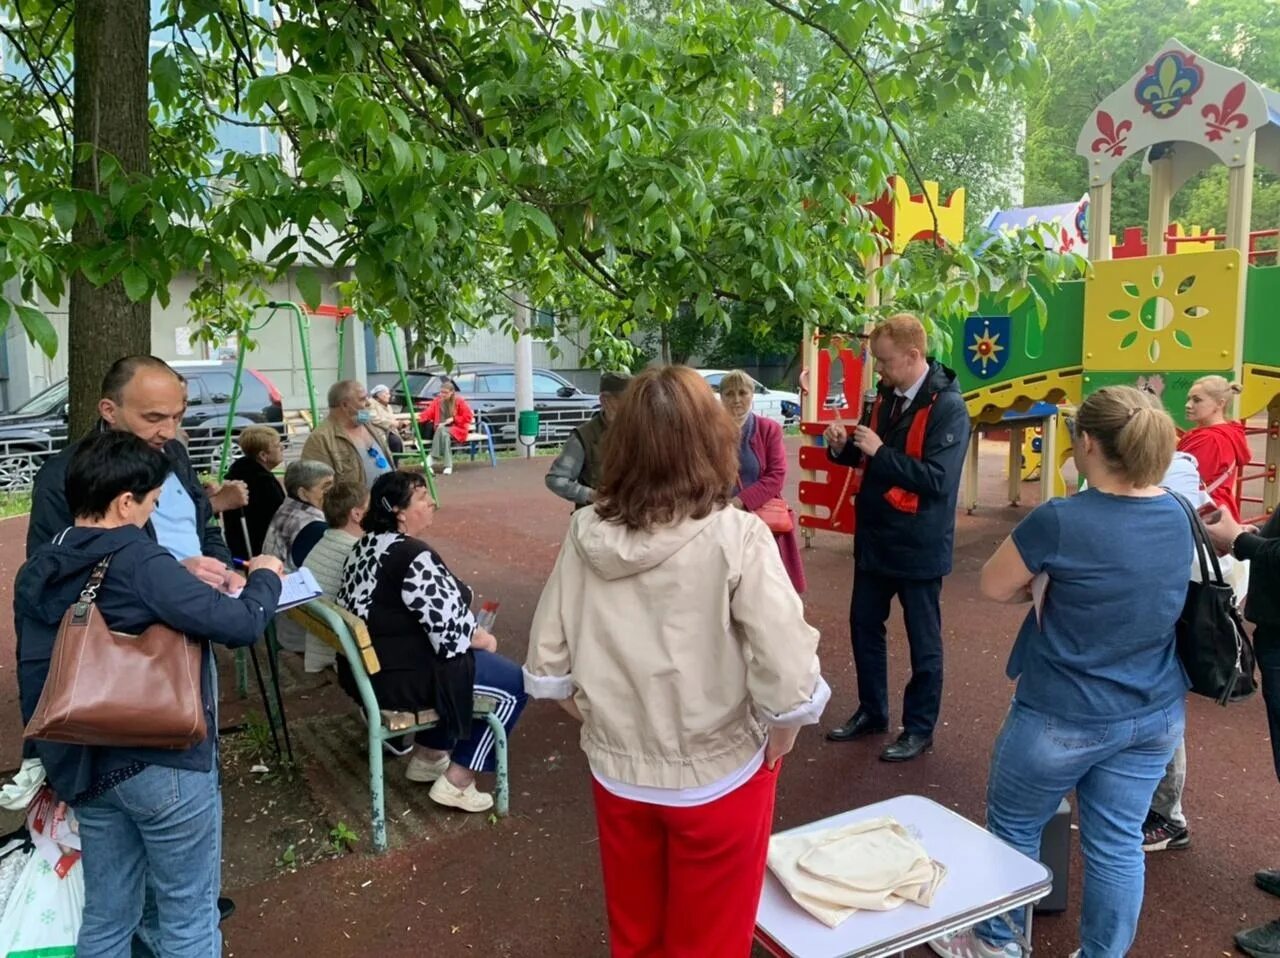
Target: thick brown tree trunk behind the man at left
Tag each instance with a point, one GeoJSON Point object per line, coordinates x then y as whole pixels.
{"type": "Point", "coordinates": [111, 116]}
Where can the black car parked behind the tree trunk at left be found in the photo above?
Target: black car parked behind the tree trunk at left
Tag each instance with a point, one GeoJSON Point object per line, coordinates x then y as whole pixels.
{"type": "Point", "coordinates": [38, 430]}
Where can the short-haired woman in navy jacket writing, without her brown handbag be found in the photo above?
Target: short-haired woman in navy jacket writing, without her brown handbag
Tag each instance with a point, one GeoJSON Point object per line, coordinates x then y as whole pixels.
{"type": "Point", "coordinates": [148, 818]}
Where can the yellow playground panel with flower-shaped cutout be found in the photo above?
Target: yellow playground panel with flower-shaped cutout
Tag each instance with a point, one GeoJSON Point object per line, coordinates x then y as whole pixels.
{"type": "Point", "coordinates": [1168, 313]}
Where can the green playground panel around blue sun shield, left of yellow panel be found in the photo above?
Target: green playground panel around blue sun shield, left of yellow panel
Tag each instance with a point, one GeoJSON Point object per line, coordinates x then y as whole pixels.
{"type": "Point", "coordinates": [1032, 350]}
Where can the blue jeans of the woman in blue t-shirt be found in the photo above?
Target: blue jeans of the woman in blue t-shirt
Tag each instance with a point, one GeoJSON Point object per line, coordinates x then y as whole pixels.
{"type": "Point", "coordinates": [1114, 769]}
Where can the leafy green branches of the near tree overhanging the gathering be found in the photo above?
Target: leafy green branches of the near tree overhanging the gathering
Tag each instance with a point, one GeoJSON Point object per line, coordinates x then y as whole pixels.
{"type": "Point", "coordinates": [450, 156]}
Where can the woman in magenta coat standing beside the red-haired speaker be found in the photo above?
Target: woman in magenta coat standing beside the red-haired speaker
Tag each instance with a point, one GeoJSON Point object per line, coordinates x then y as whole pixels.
{"type": "Point", "coordinates": [762, 464]}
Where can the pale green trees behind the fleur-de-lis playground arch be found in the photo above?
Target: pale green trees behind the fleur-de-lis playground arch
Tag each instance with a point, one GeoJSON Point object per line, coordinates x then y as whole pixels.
{"type": "Point", "coordinates": [1090, 61]}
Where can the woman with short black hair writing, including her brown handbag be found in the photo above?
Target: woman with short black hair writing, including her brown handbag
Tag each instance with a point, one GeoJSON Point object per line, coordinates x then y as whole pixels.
{"type": "Point", "coordinates": [148, 815]}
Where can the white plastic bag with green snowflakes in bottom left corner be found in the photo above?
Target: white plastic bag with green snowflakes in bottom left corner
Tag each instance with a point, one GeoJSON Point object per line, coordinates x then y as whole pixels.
{"type": "Point", "coordinates": [44, 913]}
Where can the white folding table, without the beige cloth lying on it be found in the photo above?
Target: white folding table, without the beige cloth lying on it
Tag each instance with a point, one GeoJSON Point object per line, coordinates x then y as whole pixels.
{"type": "Point", "coordinates": [985, 878]}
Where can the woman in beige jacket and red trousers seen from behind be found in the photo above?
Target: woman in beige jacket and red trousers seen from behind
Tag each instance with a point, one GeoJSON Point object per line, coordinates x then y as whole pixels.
{"type": "Point", "coordinates": [671, 631]}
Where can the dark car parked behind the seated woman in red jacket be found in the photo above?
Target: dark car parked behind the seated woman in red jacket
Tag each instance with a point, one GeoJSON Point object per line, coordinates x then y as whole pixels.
{"type": "Point", "coordinates": [490, 389]}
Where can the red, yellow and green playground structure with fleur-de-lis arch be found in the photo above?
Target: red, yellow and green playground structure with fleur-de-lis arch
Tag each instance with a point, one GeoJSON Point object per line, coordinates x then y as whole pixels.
{"type": "Point", "coordinates": [1196, 307]}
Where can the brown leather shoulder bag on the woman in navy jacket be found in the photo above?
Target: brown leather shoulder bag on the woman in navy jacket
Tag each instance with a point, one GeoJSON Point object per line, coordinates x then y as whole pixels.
{"type": "Point", "coordinates": [107, 688]}
